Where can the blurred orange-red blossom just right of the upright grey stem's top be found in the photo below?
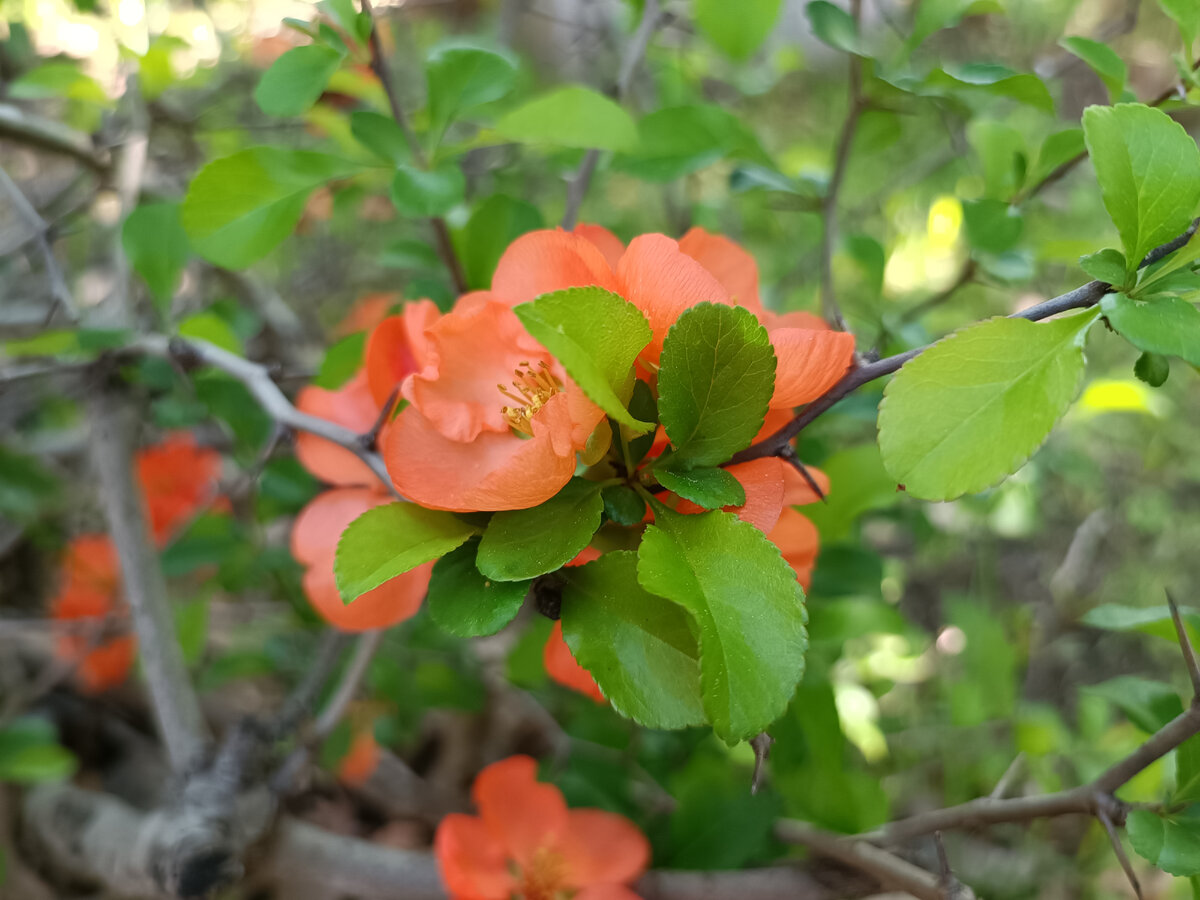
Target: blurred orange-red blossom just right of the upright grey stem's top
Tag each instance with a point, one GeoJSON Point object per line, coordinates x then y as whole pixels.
{"type": "Point", "coordinates": [178, 479]}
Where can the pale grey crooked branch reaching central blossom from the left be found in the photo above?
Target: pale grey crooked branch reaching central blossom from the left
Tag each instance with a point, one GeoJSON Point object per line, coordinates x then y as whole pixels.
{"type": "Point", "coordinates": [259, 381]}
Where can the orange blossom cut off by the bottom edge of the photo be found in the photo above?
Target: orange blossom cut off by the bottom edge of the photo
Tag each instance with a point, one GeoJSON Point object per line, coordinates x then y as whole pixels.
{"type": "Point", "coordinates": [527, 844]}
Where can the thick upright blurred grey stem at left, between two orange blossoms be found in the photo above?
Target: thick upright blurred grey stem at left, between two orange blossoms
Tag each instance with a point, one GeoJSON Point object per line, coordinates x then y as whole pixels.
{"type": "Point", "coordinates": [176, 707]}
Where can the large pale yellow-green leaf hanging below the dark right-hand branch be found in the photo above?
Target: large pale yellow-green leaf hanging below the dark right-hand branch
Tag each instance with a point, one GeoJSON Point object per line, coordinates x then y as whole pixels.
{"type": "Point", "coordinates": [974, 407]}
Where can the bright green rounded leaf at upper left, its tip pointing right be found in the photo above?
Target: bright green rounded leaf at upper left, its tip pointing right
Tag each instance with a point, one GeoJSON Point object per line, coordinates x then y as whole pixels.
{"type": "Point", "coordinates": [239, 208]}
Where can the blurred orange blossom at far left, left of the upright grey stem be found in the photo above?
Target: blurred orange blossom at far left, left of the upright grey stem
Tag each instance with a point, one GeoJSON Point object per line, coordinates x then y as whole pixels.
{"type": "Point", "coordinates": [88, 589]}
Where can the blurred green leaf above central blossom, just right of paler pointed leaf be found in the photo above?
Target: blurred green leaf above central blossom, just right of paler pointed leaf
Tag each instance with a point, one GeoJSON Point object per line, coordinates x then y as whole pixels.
{"type": "Point", "coordinates": [679, 141]}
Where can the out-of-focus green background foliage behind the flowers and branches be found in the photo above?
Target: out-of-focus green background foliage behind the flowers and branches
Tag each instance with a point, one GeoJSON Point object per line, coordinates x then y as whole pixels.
{"type": "Point", "coordinates": [1019, 628]}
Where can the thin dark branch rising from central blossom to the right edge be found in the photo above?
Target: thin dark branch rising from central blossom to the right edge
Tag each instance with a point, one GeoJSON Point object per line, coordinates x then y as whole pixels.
{"type": "Point", "coordinates": [1081, 298]}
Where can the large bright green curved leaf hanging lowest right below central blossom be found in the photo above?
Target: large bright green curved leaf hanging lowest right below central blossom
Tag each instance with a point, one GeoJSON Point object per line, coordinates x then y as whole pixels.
{"type": "Point", "coordinates": [748, 607]}
